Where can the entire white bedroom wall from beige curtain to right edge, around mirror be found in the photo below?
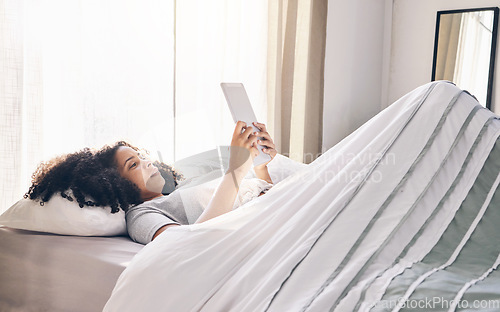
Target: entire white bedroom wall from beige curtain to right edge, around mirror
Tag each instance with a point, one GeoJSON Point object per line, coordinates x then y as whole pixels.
{"type": "Point", "coordinates": [377, 51]}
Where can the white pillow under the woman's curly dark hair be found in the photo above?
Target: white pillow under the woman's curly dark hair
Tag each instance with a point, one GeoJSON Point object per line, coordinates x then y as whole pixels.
{"type": "Point", "coordinates": [61, 216]}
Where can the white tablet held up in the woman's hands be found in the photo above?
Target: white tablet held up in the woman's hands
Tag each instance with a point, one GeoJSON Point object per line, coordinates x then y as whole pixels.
{"type": "Point", "coordinates": [241, 109]}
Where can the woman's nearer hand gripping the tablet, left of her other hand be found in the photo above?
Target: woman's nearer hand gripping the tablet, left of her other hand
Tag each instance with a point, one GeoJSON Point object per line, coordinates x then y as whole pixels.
{"type": "Point", "coordinates": [243, 149]}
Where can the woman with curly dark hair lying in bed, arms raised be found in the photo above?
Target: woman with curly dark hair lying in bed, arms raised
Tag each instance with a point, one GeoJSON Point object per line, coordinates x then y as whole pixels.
{"type": "Point", "coordinates": [120, 177]}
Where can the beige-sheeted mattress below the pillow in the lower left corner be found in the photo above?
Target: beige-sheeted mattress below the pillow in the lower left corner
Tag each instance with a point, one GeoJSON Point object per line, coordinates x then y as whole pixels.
{"type": "Point", "coordinates": [47, 272]}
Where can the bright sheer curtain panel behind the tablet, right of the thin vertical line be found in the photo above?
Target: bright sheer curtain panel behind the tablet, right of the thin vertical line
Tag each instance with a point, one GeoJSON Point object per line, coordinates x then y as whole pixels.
{"type": "Point", "coordinates": [216, 41]}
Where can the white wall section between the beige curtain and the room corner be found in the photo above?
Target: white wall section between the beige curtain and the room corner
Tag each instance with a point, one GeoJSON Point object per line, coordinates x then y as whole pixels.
{"type": "Point", "coordinates": [357, 51]}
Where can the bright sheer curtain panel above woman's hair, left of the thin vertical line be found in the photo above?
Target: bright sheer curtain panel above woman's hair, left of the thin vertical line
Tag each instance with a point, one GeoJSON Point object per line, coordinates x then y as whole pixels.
{"type": "Point", "coordinates": [77, 73]}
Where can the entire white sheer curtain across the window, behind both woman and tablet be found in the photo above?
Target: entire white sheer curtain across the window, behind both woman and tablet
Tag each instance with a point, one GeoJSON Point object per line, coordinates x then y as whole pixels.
{"type": "Point", "coordinates": [77, 73]}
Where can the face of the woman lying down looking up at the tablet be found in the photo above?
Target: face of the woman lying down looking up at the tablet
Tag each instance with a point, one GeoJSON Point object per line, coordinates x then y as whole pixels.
{"type": "Point", "coordinates": [139, 171]}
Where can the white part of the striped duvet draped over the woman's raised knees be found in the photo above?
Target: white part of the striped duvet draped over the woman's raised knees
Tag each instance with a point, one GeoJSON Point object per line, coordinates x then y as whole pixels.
{"type": "Point", "coordinates": [328, 238]}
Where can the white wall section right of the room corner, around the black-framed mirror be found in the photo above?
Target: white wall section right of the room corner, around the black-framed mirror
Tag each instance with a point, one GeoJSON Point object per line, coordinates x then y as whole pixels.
{"type": "Point", "coordinates": [413, 31]}
